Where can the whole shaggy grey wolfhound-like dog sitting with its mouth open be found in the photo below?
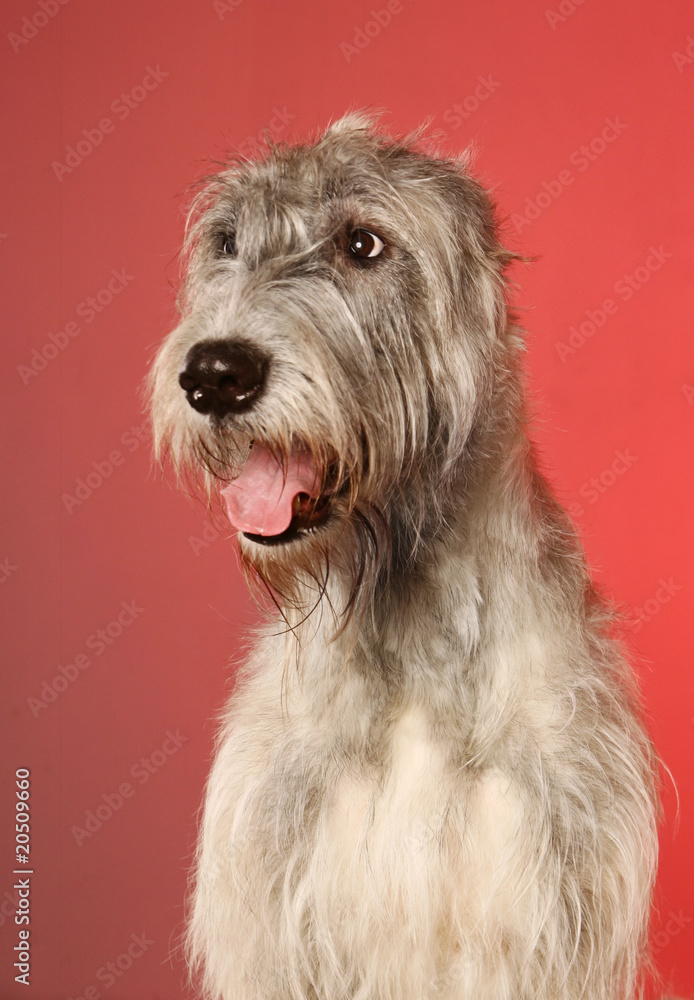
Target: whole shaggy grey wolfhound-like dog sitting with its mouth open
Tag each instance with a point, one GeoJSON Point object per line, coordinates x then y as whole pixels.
{"type": "Point", "coordinates": [432, 780]}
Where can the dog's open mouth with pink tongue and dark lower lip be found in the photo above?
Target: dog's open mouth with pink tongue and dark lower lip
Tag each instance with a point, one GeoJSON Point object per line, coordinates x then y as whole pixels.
{"type": "Point", "coordinates": [272, 502]}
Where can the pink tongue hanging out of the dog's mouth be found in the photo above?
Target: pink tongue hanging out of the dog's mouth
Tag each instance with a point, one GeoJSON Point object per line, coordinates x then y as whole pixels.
{"type": "Point", "coordinates": [260, 499]}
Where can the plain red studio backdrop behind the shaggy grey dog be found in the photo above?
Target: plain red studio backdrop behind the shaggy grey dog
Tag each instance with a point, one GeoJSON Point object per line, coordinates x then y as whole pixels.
{"type": "Point", "coordinates": [628, 388]}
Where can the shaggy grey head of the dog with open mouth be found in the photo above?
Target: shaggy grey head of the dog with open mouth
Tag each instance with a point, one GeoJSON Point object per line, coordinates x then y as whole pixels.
{"type": "Point", "coordinates": [342, 309]}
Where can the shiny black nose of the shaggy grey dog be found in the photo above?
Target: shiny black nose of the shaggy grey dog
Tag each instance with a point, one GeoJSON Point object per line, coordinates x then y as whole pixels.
{"type": "Point", "coordinates": [222, 377]}
